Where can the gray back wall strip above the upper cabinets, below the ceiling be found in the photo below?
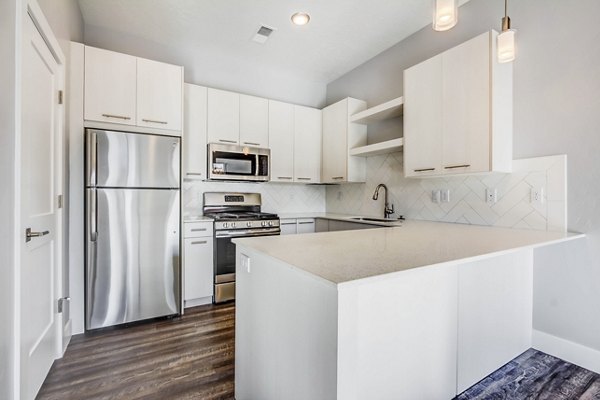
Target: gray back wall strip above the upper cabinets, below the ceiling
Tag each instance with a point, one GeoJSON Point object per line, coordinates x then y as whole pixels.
{"type": "Point", "coordinates": [199, 69]}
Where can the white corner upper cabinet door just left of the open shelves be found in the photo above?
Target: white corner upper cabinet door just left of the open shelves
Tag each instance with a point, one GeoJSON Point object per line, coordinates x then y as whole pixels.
{"type": "Point", "coordinates": [335, 145]}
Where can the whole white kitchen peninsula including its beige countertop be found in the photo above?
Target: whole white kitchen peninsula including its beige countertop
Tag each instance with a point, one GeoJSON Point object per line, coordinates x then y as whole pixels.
{"type": "Point", "coordinates": [422, 311]}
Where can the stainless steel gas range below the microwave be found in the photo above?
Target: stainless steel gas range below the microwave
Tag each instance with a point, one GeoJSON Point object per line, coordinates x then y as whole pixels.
{"type": "Point", "coordinates": [236, 215]}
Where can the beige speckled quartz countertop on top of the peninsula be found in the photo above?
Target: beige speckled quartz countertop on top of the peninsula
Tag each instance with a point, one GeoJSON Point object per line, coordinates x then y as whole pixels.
{"type": "Point", "coordinates": [345, 256]}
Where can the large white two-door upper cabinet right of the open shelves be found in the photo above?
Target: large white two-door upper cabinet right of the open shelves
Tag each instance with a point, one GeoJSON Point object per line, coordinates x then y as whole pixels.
{"type": "Point", "coordinates": [458, 112]}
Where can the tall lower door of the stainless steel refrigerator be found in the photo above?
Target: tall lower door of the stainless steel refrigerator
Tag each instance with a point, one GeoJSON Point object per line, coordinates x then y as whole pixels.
{"type": "Point", "coordinates": [133, 258]}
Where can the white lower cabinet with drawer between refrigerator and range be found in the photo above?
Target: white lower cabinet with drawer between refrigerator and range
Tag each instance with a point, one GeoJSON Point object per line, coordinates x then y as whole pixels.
{"type": "Point", "coordinates": [198, 263]}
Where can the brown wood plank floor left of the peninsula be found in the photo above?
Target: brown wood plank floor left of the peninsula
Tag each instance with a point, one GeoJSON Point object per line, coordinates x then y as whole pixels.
{"type": "Point", "coordinates": [190, 357]}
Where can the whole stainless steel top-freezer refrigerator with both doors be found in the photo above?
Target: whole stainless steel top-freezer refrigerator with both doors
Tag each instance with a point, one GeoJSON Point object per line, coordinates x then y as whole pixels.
{"type": "Point", "coordinates": [132, 227]}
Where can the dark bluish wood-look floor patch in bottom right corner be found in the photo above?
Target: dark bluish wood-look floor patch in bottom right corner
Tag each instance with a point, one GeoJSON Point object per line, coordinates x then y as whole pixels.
{"type": "Point", "coordinates": [539, 376]}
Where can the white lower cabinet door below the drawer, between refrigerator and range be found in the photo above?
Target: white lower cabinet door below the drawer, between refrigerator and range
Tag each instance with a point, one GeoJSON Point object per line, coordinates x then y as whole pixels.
{"type": "Point", "coordinates": [198, 266]}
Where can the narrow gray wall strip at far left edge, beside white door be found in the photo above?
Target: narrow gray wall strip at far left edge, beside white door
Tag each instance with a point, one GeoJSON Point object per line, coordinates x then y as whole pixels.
{"type": "Point", "coordinates": [7, 170]}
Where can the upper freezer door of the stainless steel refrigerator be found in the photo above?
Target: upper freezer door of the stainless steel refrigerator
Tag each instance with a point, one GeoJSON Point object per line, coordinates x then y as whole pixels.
{"type": "Point", "coordinates": [119, 159]}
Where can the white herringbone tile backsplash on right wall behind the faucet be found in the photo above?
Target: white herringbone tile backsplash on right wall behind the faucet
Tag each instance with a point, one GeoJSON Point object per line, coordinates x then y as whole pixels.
{"type": "Point", "coordinates": [412, 197]}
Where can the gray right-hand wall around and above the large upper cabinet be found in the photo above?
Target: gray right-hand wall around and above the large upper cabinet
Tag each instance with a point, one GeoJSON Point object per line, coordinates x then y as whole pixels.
{"type": "Point", "coordinates": [556, 111]}
